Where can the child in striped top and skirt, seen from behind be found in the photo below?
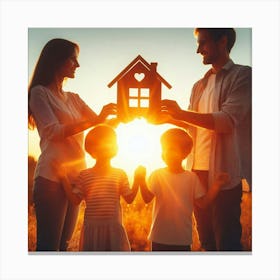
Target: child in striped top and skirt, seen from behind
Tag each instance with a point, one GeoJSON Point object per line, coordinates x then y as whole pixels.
{"type": "Point", "coordinates": [101, 187]}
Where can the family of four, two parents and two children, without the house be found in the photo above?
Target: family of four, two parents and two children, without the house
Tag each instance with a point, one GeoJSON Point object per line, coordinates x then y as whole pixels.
{"type": "Point", "coordinates": [214, 133]}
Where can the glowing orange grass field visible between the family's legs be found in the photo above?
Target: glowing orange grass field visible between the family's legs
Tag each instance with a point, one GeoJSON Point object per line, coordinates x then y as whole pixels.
{"type": "Point", "coordinates": [137, 220]}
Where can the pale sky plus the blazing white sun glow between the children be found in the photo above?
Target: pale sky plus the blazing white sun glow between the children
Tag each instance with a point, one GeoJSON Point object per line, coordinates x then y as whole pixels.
{"type": "Point", "coordinates": [139, 141]}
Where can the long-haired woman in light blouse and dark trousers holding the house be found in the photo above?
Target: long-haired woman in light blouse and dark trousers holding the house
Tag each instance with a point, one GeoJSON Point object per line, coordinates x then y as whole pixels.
{"type": "Point", "coordinates": [60, 118]}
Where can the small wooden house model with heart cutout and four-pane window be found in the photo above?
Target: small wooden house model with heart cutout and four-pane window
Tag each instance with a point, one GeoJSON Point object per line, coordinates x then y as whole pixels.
{"type": "Point", "coordinates": [138, 90]}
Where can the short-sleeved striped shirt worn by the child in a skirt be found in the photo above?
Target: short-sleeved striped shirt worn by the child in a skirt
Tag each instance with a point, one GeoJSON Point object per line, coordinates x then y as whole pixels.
{"type": "Point", "coordinates": [102, 192]}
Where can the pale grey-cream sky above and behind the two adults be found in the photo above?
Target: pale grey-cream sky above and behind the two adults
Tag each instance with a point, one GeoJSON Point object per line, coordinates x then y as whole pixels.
{"type": "Point", "coordinates": [105, 52]}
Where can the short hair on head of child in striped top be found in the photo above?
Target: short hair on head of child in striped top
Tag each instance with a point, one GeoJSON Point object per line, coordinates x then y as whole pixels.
{"type": "Point", "coordinates": [101, 138]}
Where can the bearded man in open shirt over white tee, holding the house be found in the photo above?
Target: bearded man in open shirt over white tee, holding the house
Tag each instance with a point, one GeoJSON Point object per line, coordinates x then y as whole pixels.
{"type": "Point", "coordinates": [219, 120]}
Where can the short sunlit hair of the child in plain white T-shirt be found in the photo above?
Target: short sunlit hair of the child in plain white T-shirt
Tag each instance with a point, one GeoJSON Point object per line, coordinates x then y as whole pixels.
{"type": "Point", "coordinates": [178, 137]}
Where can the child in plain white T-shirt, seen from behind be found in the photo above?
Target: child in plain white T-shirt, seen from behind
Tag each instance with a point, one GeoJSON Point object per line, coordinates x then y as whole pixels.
{"type": "Point", "coordinates": [175, 191]}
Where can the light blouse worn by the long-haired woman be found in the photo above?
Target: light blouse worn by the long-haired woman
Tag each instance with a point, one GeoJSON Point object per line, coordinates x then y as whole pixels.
{"type": "Point", "coordinates": [52, 113]}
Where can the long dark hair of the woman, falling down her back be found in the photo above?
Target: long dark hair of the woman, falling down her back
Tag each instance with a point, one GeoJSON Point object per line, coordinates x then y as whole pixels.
{"type": "Point", "coordinates": [52, 57]}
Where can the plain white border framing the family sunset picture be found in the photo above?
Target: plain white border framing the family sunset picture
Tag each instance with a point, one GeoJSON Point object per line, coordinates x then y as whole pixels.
{"type": "Point", "coordinates": [17, 16]}
